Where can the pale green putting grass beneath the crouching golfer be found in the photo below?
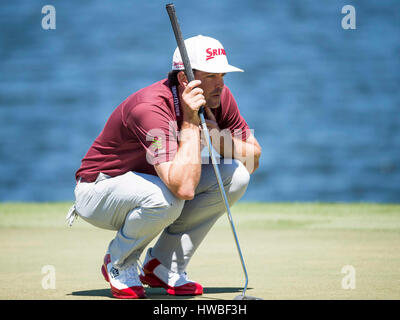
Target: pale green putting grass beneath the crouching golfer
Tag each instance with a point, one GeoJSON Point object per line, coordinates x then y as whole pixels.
{"type": "Point", "coordinates": [292, 251]}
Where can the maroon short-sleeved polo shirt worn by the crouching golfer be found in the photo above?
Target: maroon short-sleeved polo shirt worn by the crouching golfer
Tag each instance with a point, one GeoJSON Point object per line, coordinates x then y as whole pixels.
{"type": "Point", "coordinates": [143, 131]}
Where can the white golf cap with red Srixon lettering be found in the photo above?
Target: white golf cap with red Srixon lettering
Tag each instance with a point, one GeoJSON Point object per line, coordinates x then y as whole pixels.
{"type": "Point", "coordinates": [205, 54]}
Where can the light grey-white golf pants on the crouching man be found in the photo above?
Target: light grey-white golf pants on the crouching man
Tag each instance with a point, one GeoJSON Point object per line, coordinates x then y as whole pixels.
{"type": "Point", "coordinates": [139, 206]}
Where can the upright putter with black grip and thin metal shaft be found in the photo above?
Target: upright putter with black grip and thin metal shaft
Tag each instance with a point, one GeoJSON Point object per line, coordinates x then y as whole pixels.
{"type": "Point", "coordinates": [190, 76]}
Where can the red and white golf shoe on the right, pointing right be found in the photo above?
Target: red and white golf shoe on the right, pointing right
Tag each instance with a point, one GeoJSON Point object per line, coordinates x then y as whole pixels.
{"type": "Point", "coordinates": [156, 275]}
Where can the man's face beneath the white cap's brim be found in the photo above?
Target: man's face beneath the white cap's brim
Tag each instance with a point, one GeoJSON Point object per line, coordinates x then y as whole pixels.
{"type": "Point", "coordinates": [212, 85]}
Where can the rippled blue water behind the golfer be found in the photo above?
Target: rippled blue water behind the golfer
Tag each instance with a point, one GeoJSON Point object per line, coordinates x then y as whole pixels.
{"type": "Point", "coordinates": [324, 102]}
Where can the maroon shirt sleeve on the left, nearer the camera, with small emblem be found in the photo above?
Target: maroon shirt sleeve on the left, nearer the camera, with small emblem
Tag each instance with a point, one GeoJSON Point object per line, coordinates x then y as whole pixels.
{"type": "Point", "coordinates": [156, 131]}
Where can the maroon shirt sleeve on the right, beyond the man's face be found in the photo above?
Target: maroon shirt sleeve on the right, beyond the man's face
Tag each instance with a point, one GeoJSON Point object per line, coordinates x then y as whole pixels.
{"type": "Point", "coordinates": [231, 118]}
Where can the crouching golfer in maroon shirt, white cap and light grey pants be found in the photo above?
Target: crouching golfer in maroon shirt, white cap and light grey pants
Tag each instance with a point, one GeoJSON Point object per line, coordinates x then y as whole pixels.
{"type": "Point", "coordinates": [143, 175]}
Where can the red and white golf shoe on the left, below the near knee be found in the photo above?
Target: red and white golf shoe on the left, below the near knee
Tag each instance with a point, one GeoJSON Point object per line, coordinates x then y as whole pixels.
{"type": "Point", "coordinates": [124, 282]}
